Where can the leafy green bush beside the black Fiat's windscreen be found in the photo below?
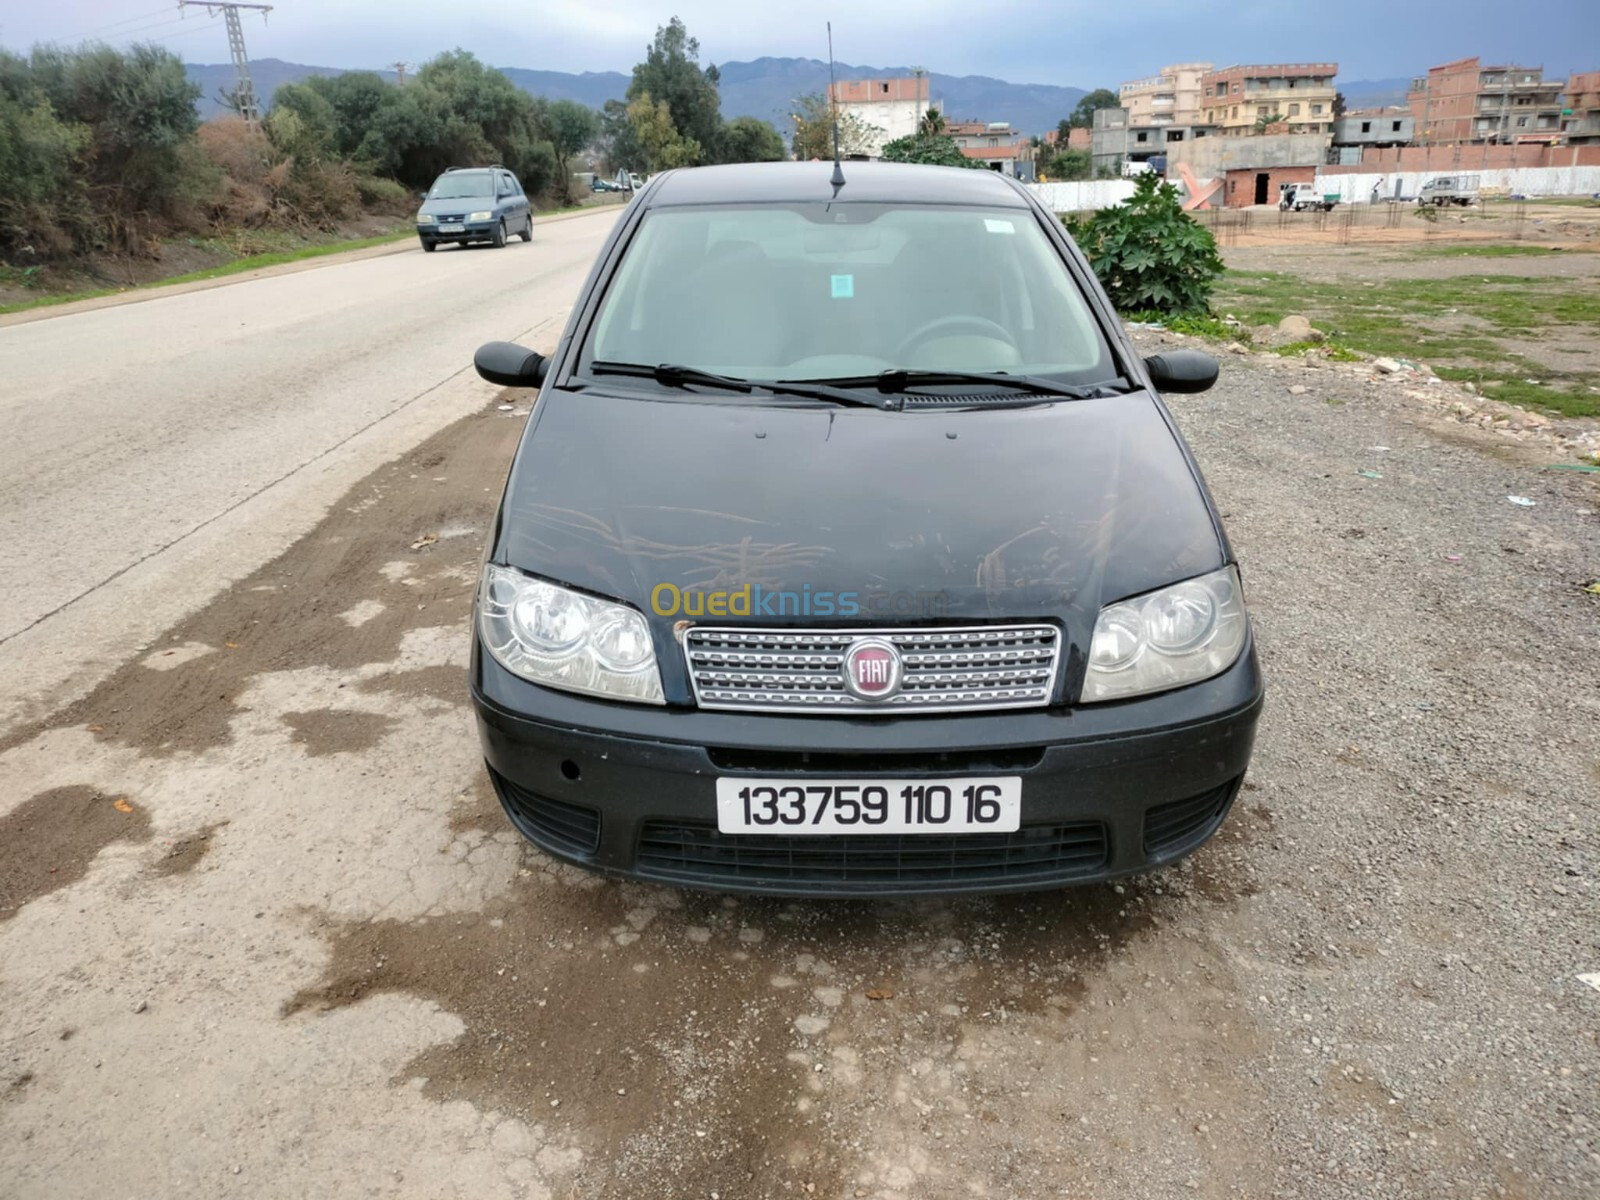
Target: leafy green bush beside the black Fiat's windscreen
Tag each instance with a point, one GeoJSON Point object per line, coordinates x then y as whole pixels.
{"type": "Point", "coordinates": [1150, 254]}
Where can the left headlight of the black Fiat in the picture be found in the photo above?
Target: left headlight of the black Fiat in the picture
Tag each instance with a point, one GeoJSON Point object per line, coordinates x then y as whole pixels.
{"type": "Point", "coordinates": [567, 641]}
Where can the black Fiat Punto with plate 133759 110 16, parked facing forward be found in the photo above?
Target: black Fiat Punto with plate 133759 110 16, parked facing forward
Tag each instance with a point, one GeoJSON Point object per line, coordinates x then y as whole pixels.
{"type": "Point", "coordinates": [850, 550]}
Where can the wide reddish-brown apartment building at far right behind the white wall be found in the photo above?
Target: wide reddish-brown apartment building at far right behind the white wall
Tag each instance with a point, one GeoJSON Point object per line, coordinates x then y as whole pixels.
{"type": "Point", "coordinates": [1465, 102]}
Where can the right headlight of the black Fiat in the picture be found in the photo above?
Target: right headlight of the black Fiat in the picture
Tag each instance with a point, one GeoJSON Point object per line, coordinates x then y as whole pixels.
{"type": "Point", "coordinates": [1177, 636]}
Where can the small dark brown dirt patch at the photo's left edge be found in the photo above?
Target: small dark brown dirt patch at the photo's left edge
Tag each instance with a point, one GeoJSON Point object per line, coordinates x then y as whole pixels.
{"type": "Point", "coordinates": [52, 839]}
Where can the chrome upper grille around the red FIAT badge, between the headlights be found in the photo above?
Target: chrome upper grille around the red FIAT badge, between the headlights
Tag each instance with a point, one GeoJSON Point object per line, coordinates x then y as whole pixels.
{"type": "Point", "coordinates": [977, 668]}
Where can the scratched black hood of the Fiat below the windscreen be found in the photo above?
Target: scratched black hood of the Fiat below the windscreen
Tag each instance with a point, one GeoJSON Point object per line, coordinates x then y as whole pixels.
{"type": "Point", "coordinates": [961, 516]}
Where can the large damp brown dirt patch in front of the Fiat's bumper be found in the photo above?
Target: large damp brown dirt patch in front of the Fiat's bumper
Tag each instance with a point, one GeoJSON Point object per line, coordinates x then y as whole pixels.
{"type": "Point", "coordinates": [684, 1036]}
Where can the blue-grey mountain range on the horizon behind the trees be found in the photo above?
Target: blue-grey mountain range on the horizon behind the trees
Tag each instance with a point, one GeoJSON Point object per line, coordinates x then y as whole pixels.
{"type": "Point", "coordinates": [762, 89]}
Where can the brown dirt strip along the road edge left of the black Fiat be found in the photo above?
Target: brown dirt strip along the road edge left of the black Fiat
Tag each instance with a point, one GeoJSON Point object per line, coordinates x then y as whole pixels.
{"type": "Point", "coordinates": [289, 614]}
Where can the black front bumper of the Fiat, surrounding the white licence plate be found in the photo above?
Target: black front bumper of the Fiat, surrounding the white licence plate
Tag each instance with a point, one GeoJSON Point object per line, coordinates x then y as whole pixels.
{"type": "Point", "coordinates": [1108, 790]}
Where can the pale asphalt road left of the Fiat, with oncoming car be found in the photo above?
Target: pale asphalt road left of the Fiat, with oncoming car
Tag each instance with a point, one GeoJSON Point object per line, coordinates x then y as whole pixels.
{"type": "Point", "coordinates": [158, 450]}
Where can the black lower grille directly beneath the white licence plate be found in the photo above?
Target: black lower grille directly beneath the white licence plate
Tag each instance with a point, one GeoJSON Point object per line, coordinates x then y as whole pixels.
{"type": "Point", "coordinates": [692, 852]}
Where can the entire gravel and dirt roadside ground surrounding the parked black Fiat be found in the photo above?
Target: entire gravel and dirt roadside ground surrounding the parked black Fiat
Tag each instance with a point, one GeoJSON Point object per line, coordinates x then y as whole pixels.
{"type": "Point", "coordinates": [314, 961]}
